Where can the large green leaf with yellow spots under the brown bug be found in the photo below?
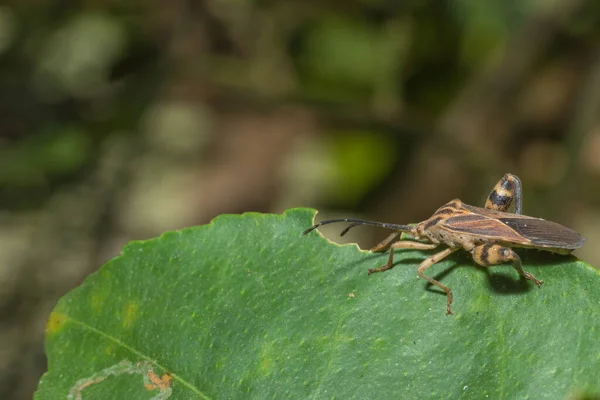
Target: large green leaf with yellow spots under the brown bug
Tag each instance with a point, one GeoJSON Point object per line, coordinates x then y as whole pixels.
{"type": "Point", "coordinates": [245, 307]}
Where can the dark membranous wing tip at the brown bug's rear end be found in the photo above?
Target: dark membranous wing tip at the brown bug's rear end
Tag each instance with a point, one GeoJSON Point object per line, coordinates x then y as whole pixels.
{"type": "Point", "coordinates": [545, 233]}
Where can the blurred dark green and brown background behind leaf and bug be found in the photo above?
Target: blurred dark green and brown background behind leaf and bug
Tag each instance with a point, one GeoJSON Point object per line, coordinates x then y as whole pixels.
{"type": "Point", "coordinates": [121, 120]}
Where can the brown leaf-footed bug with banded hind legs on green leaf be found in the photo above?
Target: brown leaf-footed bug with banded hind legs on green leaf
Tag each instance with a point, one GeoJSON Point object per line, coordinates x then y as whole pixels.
{"type": "Point", "coordinates": [489, 233]}
